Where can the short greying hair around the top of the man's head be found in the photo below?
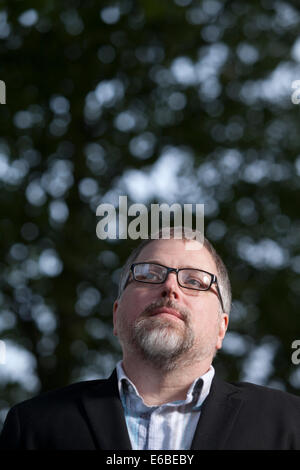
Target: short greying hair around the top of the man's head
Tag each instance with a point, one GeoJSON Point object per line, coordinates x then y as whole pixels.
{"type": "Point", "coordinates": [187, 234]}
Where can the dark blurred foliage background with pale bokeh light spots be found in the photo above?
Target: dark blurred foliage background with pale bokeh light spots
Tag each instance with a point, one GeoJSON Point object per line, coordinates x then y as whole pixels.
{"type": "Point", "coordinates": [183, 101]}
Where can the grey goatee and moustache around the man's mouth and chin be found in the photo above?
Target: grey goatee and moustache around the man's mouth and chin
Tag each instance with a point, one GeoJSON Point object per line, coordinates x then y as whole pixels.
{"type": "Point", "coordinates": [161, 342]}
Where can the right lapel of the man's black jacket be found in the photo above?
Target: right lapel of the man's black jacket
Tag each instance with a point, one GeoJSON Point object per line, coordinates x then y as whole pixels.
{"type": "Point", "coordinates": [218, 414]}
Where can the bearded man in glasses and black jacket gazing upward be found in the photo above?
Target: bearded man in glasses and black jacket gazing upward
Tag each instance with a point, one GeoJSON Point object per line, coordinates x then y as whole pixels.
{"type": "Point", "coordinates": [171, 316]}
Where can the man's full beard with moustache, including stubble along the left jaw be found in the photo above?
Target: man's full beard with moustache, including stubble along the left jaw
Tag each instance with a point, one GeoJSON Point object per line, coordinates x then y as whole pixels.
{"type": "Point", "coordinates": [163, 342]}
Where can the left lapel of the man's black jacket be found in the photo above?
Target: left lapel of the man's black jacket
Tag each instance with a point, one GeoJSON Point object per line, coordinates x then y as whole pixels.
{"type": "Point", "coordinates": [105, 415]}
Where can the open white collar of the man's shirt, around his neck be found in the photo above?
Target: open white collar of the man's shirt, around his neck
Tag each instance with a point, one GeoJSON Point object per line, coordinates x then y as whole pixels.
{"type": "Point", "coordinates": [196, 393]}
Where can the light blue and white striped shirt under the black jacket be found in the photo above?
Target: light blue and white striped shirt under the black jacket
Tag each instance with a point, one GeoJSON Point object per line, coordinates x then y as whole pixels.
{"type": "Point", "coordinates": [170, 426]}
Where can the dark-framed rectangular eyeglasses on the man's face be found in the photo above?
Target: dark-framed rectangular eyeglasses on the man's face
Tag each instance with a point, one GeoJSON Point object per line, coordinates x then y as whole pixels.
{"type": "Point", "coordinates": [189, 278]}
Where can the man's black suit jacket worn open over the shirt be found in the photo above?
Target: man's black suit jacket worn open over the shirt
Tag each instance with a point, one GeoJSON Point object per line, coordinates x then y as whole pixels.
{"type": "Point", "coordinates": [89, 415]}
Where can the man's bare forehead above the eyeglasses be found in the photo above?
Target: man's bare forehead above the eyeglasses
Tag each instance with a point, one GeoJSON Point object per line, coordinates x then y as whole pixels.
{"type": "Point", "coordinates": [174, 253]}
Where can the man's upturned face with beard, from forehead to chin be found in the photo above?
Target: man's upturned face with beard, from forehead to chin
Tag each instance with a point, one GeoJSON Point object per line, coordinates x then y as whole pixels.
{"type": "Point", "coordinates": [167, 324]}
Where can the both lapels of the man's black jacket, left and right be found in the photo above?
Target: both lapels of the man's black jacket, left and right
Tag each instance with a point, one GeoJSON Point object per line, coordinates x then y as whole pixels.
{"type": "Point", "coordinates": [104, 411]}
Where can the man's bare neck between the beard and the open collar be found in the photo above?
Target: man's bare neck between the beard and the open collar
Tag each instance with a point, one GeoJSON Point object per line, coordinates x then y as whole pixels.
{"type": "Point", "coordinates": [157, 386]}
